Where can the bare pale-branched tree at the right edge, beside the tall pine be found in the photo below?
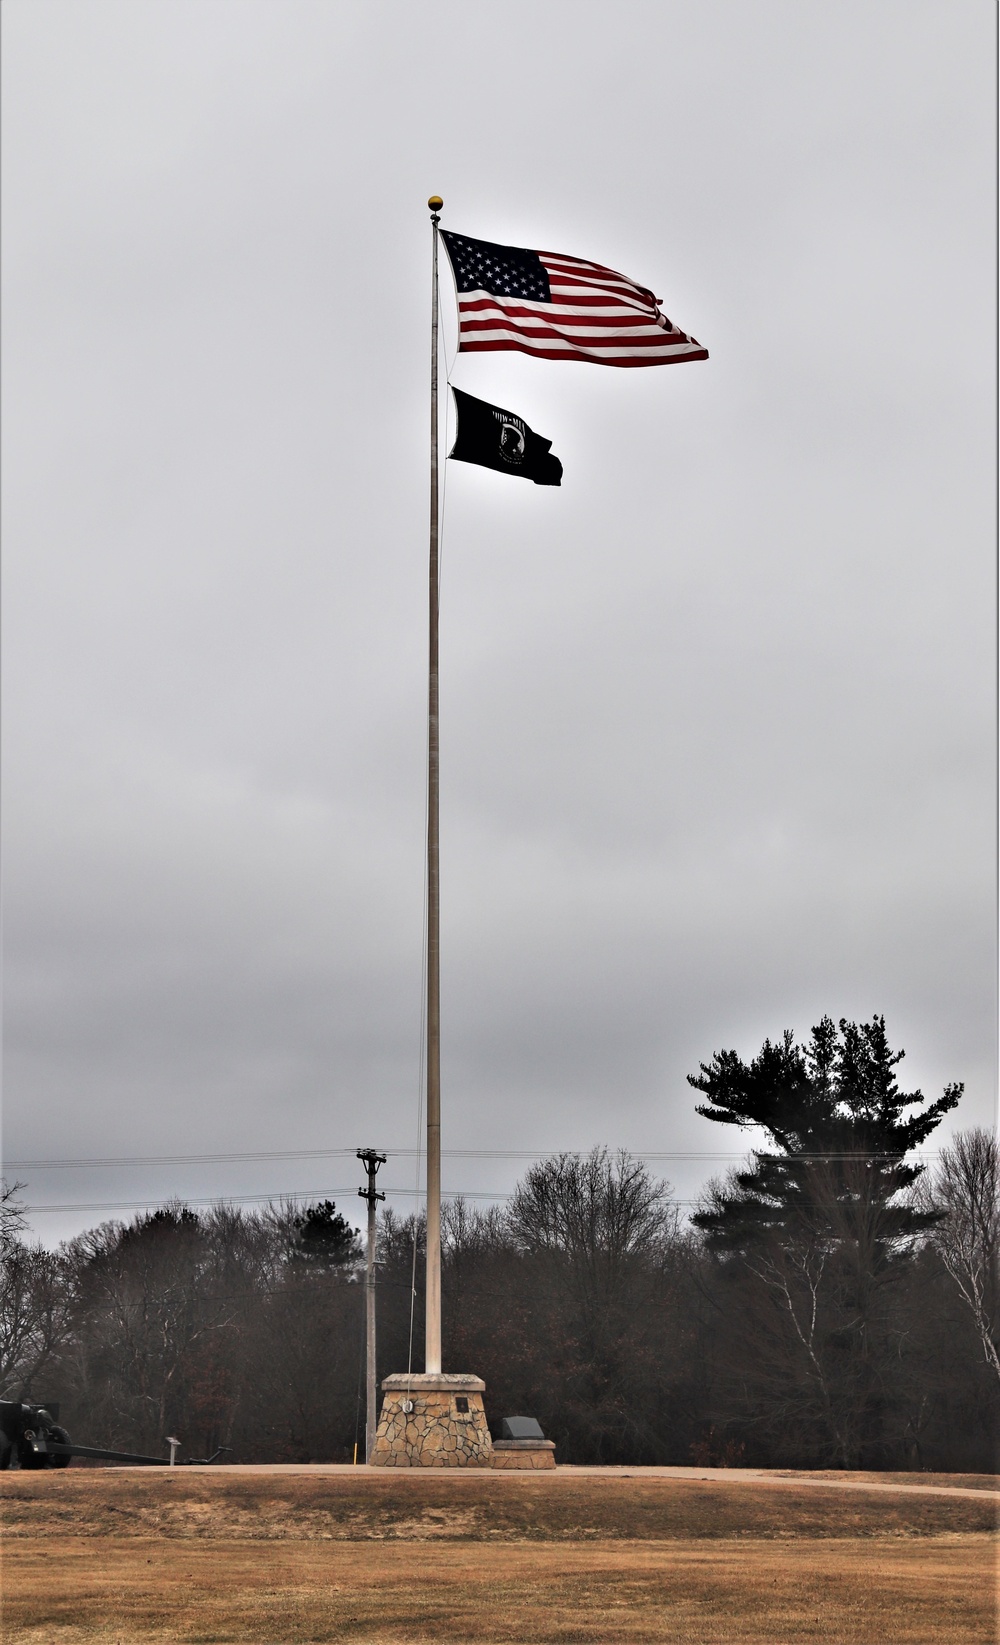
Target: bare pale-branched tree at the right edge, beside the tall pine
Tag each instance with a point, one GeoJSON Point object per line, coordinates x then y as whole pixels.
{"type": "Point", "coordinates": [966, 1195]}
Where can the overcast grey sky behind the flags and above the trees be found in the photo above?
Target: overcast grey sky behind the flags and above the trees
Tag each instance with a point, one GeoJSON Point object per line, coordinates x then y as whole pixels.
{"type": "Point", "coordinates": [718, 715]}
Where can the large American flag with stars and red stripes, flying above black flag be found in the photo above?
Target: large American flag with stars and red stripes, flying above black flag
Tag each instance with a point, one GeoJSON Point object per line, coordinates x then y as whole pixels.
{"type": "Point", "coordinates": [558, 308]}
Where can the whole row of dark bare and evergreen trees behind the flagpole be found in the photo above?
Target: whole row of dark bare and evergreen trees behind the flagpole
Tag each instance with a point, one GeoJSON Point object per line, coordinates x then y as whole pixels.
{"type": "Point", "coordinates": [830, 1304]}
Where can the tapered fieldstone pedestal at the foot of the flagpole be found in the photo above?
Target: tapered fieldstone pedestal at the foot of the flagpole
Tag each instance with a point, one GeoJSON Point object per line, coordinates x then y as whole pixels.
{"type": "Point", "coordinates": [447, 1427]}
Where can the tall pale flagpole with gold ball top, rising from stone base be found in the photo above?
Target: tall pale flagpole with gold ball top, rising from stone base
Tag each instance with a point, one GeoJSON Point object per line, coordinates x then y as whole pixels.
{"type": "Point", "coordinates": [433, 1300]}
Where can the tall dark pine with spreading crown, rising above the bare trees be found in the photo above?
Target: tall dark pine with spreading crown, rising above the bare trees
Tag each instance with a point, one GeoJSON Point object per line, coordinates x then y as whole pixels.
{"type": "Point", "coordinates": [813, 1235]}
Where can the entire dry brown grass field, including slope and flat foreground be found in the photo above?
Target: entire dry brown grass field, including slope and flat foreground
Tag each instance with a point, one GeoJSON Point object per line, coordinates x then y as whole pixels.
{"type": "Point", "coordinates": [410, 1559]}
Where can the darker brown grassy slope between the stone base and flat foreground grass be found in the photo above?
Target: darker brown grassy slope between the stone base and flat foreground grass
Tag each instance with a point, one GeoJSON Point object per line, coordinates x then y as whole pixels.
{"type": "Point", "coordinates": [400, 1504]}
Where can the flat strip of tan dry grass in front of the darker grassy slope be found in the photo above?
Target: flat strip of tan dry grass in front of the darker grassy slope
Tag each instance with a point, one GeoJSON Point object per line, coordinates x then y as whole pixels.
{"type": "Point", "coordinates": [708, 1593]}
